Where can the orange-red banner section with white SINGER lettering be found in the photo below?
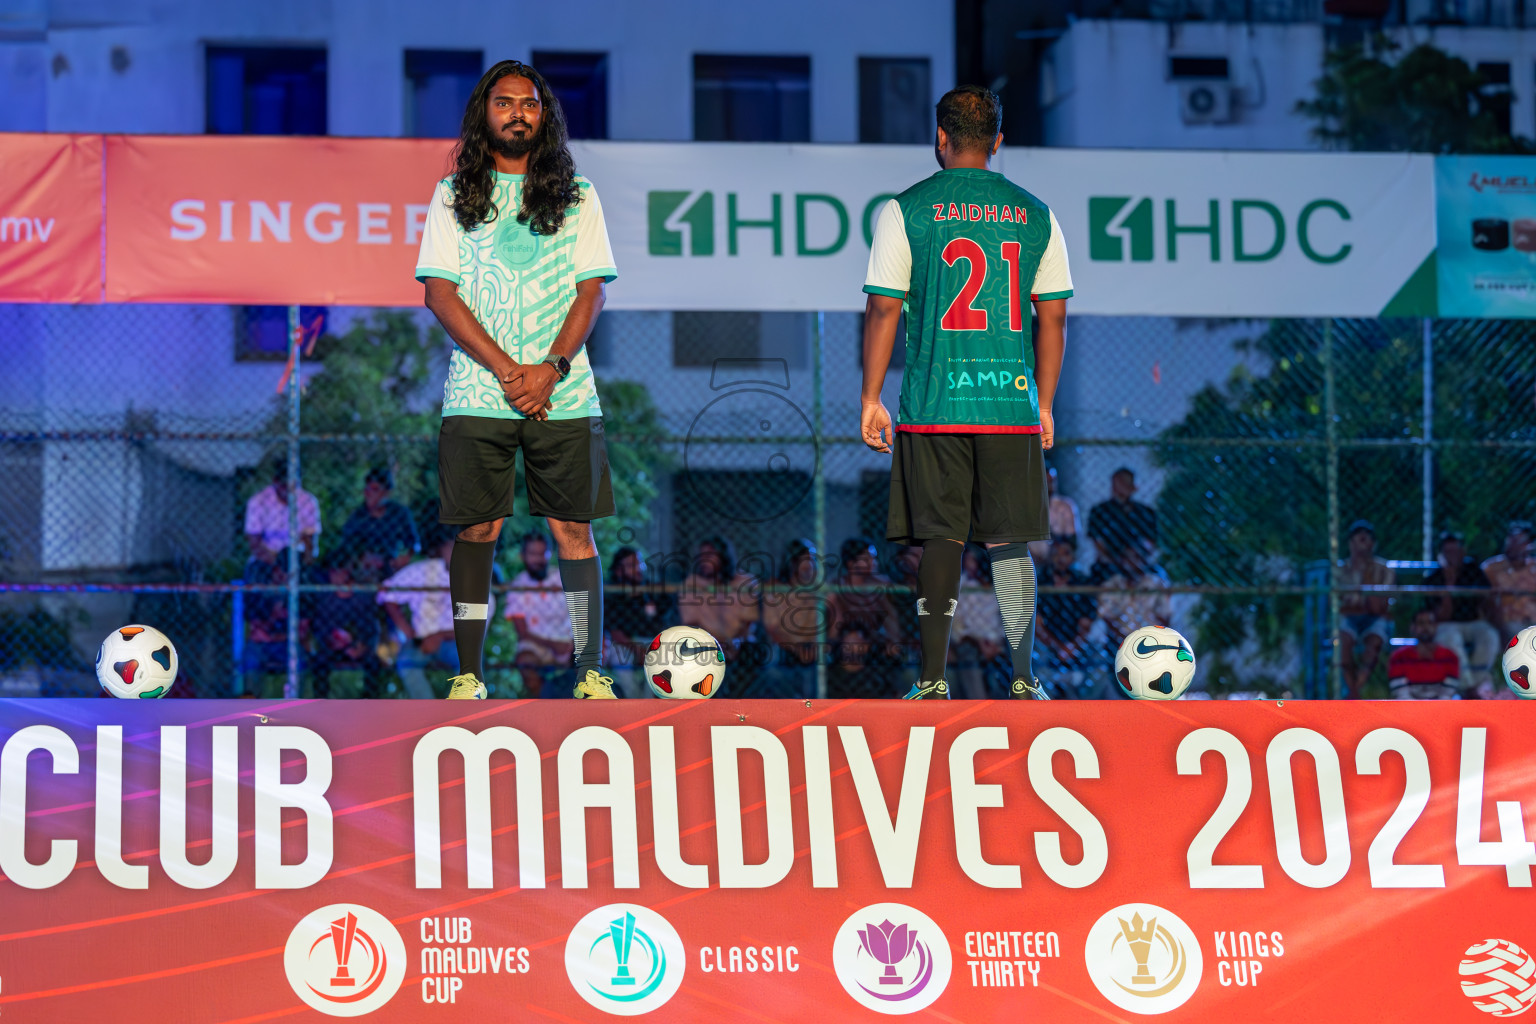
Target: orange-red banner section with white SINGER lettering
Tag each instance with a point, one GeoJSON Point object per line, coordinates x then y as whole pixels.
{"type": "Point", "coordinates": [253, 219]}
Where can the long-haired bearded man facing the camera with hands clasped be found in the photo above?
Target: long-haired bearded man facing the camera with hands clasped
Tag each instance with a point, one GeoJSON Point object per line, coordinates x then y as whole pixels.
{"type": "Point", "coordinates": [515, 259]}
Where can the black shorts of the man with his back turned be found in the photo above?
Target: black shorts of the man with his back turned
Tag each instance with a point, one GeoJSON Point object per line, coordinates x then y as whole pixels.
{"type": "Point", "coordinates": [990, 489]}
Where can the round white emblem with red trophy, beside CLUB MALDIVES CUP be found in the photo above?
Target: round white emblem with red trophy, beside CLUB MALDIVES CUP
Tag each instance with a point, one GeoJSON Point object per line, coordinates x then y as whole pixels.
{"type": "Point", "coordinates": [345, 960]}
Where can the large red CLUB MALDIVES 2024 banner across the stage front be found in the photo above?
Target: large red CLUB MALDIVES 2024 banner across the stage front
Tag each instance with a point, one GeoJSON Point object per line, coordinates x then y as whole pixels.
{"type": "Point", "coordinates": [767, 860]}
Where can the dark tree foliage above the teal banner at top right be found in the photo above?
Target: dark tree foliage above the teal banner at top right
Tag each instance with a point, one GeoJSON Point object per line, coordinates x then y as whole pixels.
{"type": "Point", "coordinates": [1425, 102]}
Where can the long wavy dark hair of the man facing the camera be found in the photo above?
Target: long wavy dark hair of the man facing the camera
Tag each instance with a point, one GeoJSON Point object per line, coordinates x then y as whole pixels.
{"type": "Point", "coordinates": [549, 188]}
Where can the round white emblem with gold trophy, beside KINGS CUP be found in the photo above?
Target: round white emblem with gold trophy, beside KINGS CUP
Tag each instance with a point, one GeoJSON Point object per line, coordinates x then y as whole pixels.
{"type": "Point", "coordinates": [1144, 959]}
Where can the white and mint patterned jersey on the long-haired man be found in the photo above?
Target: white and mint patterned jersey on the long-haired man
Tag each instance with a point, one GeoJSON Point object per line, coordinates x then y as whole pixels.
{"type": "Point", "coordinates": [520, 286]}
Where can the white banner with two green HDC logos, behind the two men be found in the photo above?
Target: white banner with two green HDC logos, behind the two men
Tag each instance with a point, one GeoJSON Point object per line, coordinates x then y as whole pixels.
{"type": "Point", "coordinates": [715, 226]}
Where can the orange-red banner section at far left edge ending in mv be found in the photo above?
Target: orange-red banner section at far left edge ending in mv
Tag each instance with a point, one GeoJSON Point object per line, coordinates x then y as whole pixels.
{"type": "Point", "coordinates": [51, 219]}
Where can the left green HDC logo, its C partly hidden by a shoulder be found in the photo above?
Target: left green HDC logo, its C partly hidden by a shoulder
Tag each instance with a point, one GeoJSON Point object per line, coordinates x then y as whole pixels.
{"type": "Point", "coordinates": [683, 223]}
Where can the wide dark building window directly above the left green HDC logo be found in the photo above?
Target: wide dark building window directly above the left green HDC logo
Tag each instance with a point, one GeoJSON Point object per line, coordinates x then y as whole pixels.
{"type": "Point", "coordinates": [752, 99]}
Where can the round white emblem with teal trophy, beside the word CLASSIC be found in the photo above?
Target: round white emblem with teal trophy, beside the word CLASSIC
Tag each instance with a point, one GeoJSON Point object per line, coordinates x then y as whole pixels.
{"type": "Point", "coordinates": [624, 959]}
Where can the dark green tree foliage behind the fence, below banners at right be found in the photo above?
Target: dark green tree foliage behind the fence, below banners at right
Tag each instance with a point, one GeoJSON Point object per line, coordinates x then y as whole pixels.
{"type": "Point", "coordinates": [1245, 503]}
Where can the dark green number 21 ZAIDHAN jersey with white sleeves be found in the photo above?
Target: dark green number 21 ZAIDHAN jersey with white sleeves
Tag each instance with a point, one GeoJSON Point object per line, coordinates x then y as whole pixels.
{"type": "Point", "coordinates": [968, 249]}
